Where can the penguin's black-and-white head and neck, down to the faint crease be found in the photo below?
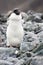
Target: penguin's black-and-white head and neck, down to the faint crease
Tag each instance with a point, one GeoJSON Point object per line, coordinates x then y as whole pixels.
{"type": "Point", "coordinates": [15, 15]}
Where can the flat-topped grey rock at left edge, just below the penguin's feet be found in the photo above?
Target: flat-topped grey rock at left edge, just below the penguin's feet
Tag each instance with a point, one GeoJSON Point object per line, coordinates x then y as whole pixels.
{"type": "Point", "coordinates": [7, 52]}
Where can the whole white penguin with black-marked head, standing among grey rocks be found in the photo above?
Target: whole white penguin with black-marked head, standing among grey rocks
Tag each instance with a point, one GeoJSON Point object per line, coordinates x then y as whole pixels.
{"type": "Point", "coordinates": [15, 30]}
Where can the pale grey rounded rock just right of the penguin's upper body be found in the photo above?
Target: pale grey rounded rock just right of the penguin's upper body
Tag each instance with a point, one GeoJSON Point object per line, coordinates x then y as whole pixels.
{"type": "Point", "coordinates": [29, 26]}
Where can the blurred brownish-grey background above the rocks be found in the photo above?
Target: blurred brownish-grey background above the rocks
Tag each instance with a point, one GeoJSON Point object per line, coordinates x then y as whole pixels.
{"type": "Point", "coordinates": [24, 5]}
